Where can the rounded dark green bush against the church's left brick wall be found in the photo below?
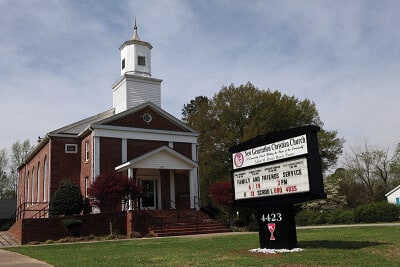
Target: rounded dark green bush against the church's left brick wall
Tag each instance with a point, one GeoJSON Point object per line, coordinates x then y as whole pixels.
{"type": "Point", "coordinates": [66, 200]}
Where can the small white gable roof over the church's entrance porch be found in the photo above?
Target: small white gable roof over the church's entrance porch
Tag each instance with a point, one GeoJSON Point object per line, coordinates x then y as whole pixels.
{"type": "Point", "coordinates": [160, 158]}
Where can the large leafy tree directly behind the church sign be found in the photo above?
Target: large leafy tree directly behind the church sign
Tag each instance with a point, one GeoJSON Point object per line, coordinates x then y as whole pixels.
{"type": "Point", "coordinates": [236, 114]}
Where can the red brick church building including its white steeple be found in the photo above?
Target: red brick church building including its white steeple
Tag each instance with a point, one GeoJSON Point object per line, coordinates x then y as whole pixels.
{"type": "Point", "coordinates": [136, 137]}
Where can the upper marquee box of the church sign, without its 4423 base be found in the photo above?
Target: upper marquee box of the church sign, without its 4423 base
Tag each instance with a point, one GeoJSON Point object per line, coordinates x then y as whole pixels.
{"type": "Point", "coordinates": [280, 165]}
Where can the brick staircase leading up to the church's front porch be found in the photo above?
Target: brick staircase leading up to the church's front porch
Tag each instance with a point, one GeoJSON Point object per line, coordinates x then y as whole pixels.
{"type": "Point", "coordinates": [183, 222]}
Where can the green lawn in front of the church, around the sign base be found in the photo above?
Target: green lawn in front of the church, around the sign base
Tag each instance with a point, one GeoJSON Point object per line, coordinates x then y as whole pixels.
{"type": "Point", "coordinates": [359, 246]}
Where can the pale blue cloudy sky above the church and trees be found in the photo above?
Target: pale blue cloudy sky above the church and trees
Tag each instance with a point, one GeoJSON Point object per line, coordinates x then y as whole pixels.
{"type": "Point", "coordinates": [60, 58]}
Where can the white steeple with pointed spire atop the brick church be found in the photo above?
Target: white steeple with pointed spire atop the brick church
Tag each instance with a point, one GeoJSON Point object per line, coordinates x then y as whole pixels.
{"type": "Point", "coordinates": [135, 86]}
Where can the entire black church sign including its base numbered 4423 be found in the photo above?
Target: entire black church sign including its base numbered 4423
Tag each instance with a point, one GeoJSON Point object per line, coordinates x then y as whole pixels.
{"type": "Point", "coordinates": [271, 173]}
